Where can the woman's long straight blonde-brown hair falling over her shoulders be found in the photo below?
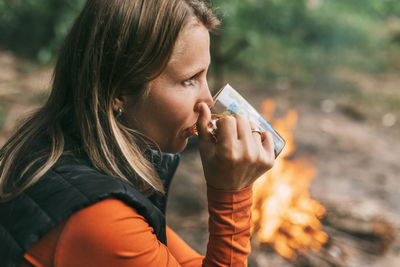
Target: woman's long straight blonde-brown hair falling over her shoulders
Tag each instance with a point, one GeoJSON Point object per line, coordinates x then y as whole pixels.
{"type": "Point", "coordinates": [113, 45]}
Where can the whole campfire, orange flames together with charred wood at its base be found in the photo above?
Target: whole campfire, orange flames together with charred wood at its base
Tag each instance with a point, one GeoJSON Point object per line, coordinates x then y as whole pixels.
{"type": "Point", "coordinates": [300, 229]}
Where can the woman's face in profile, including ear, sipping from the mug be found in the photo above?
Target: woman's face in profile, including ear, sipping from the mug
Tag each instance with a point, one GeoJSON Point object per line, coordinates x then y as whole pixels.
{"type": "Point", "coordinates": [169, 111]}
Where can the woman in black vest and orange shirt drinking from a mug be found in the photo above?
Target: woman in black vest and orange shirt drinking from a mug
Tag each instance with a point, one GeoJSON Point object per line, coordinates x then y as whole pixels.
{"type": "Point", "coordinates": [81, 183]}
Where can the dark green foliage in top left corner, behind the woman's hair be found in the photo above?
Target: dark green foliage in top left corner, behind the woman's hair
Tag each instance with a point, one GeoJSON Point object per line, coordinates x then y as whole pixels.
{"type": "Point", "coordinates": [36, 28]}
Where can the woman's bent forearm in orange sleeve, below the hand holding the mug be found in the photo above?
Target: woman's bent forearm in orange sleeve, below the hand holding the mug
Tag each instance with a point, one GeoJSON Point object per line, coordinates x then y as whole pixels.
{"type": "Point", "coordinates": [229, 227]}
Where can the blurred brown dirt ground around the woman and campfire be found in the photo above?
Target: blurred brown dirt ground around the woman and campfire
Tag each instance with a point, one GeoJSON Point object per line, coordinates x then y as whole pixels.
{"type": "Point", "coordinates": [353, 140]}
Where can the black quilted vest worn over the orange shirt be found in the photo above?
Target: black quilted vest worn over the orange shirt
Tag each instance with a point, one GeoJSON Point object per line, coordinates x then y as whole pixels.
{"type": "Point", "coordinates": [69, 186]}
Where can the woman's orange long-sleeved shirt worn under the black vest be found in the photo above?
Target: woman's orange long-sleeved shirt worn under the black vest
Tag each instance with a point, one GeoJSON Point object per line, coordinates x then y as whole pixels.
{"type": "Point", "coordinates": [110, 233]}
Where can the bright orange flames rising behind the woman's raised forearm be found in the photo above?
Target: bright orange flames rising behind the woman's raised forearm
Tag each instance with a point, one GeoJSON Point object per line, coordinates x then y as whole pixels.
{"type": "Point", "coordinates": [284, 215]}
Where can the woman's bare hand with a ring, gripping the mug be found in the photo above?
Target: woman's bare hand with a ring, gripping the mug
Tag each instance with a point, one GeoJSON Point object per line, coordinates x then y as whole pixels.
{"type": "Point", "coordinates": [237, 157]}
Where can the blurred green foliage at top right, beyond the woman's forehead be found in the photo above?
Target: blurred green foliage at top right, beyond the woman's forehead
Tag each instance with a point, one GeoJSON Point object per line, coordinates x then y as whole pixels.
{"type": "Point", "coordinates": [296, 39]}
